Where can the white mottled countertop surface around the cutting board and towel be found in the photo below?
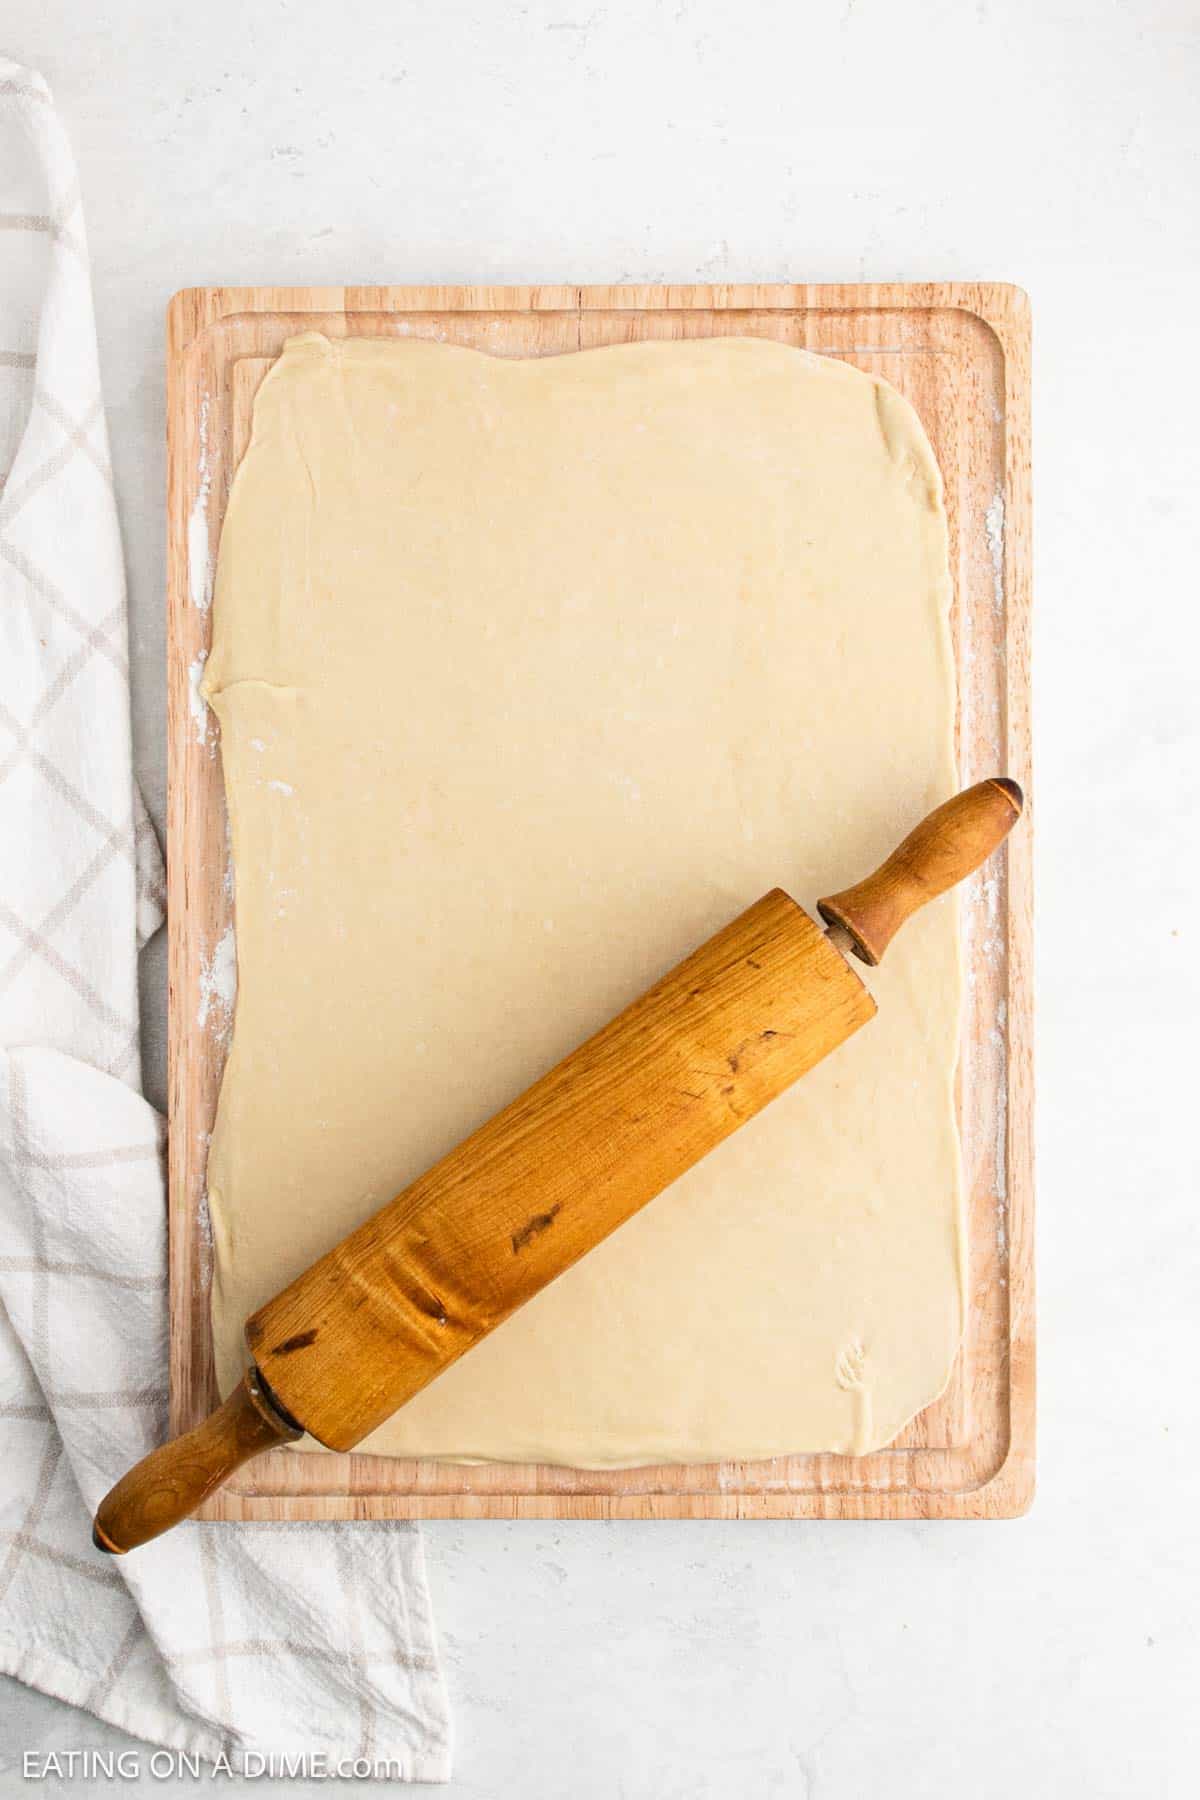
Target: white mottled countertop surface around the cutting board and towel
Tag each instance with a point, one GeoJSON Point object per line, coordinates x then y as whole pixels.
{"type": "Point", "coordinates": [1037, 141]}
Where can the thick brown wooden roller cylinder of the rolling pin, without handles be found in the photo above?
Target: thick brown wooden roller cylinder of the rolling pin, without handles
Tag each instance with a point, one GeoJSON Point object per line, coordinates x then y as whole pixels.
{"type": "Point", "coordinates": [481, 1232]}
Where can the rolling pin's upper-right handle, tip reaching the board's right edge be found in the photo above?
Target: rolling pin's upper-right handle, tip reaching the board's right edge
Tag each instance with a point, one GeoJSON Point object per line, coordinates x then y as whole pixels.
{"type": "Point", "coordinates": [944, 850]}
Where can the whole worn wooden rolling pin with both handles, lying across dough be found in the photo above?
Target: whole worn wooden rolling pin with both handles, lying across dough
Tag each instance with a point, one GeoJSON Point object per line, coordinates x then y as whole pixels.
{"type": "Point", "coordinates": [557, 1171]}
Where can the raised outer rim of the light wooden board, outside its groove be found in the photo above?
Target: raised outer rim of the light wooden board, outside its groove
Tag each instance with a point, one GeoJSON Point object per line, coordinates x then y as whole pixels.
{"type": "Point", "coordinates": [1007, 312]}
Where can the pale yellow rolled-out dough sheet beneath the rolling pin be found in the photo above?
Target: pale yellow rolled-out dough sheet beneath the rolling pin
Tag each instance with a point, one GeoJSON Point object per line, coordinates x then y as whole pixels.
{"type": "Point", "coordinates": [530, 678]}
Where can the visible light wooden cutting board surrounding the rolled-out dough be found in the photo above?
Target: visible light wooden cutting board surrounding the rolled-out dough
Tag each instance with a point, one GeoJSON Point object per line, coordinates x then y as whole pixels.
{"type": "Point", "coordinates": [962, 355]}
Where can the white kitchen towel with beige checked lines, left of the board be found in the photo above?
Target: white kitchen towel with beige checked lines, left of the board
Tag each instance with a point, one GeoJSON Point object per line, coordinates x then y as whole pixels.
{"type": "Point", "coordinates": [285, 1641]}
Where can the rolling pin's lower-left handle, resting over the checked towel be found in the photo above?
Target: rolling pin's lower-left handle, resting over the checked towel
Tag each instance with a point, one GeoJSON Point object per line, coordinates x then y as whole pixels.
{"type": "Point", "coordinates": [179, 1477]}
